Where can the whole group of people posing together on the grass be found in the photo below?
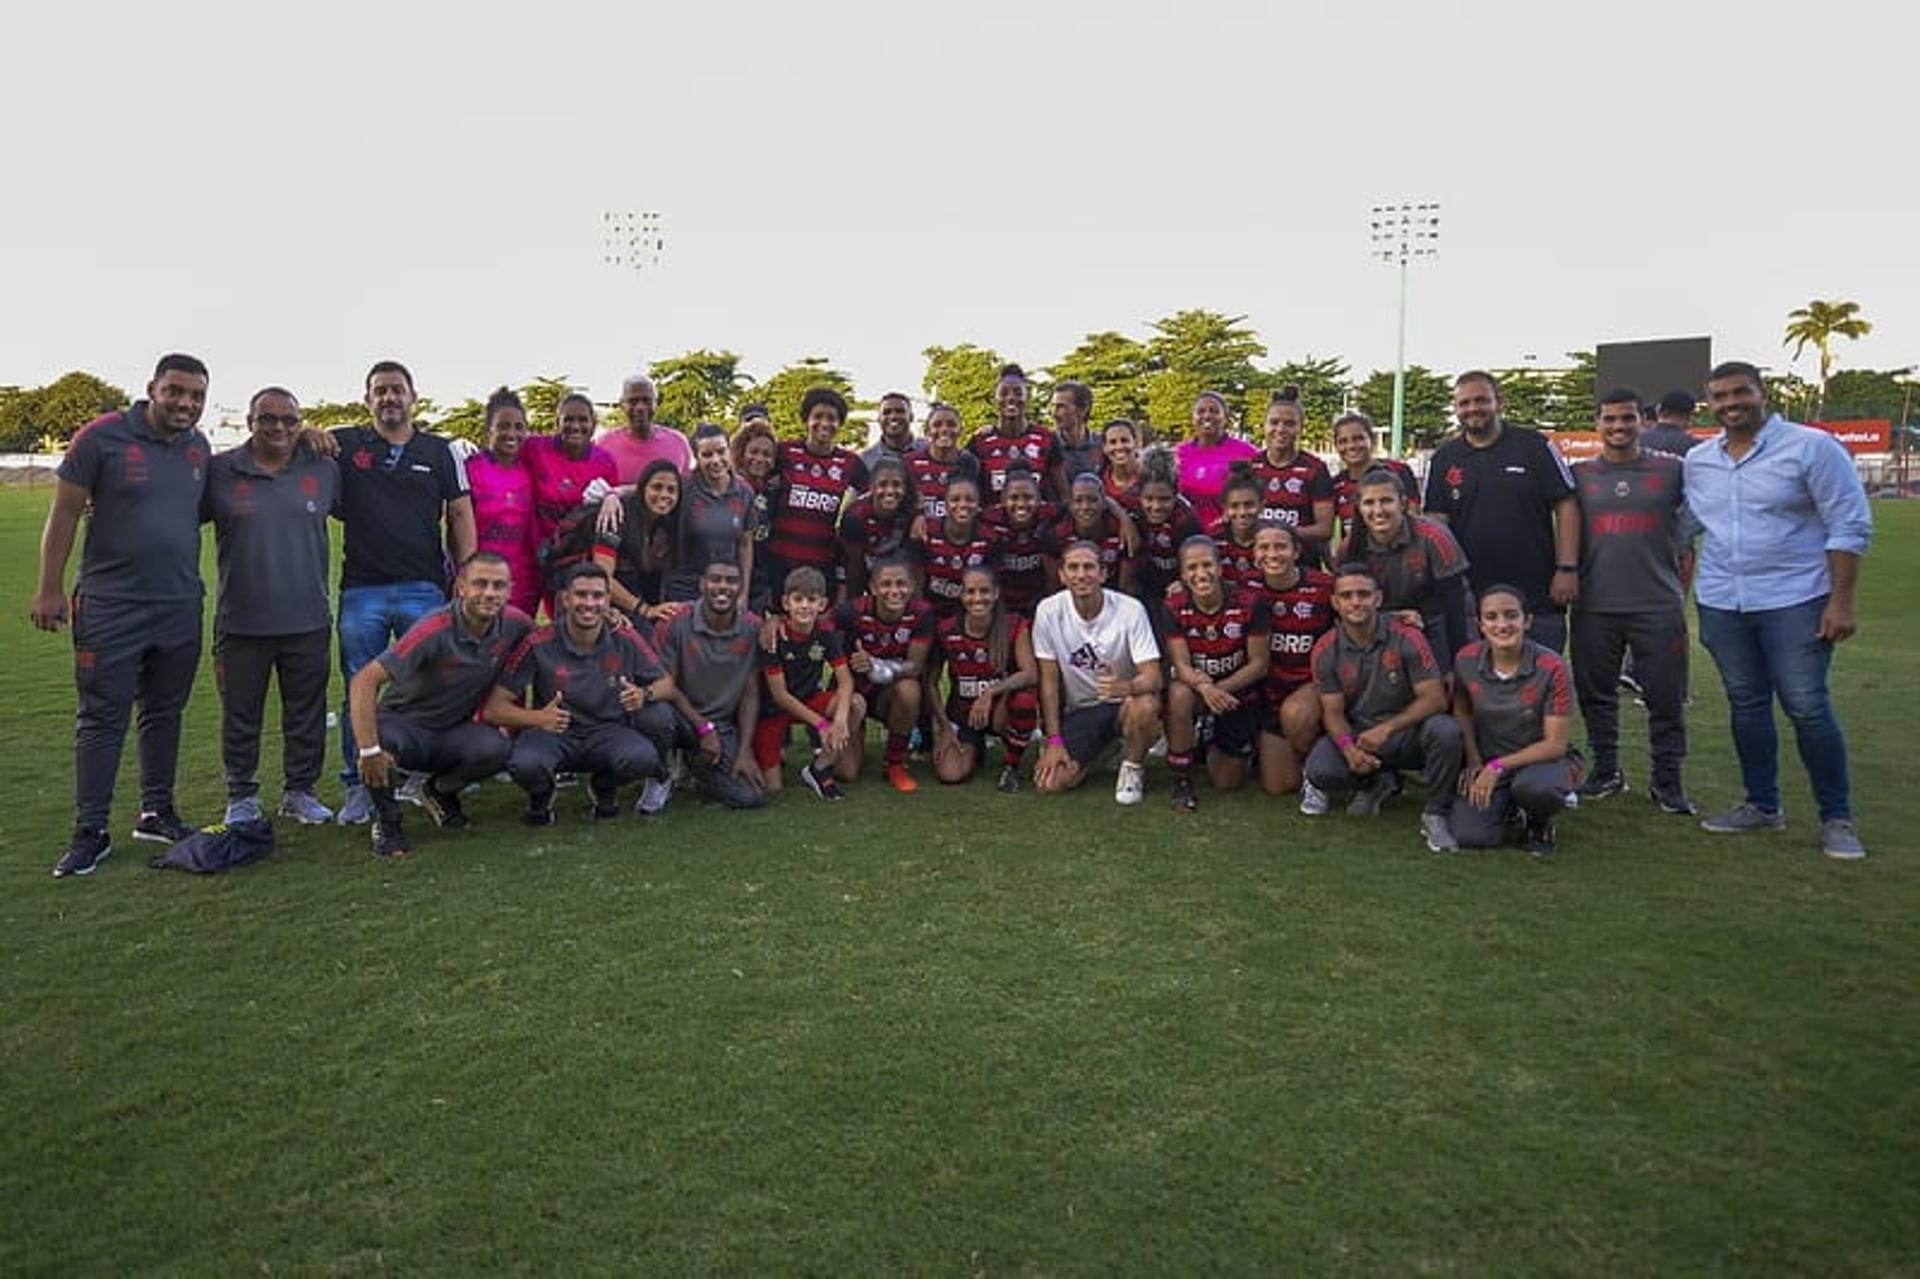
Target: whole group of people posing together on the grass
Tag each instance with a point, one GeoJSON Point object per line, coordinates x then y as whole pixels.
{"type": "Point", "coordinates": [635, 608]}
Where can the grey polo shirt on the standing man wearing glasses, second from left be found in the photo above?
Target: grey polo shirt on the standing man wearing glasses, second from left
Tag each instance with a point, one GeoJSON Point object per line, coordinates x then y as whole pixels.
{"type": "Point", "coordinates": [272, 535]}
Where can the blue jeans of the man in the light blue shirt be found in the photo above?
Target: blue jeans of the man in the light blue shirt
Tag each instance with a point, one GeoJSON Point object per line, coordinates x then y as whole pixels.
{"type": "Point", "coordinates": [1779, 654]}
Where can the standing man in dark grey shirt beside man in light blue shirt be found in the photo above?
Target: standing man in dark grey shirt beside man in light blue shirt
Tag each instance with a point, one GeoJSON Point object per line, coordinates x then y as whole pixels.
{"type": "Point", "coordinates": [1633, 602]}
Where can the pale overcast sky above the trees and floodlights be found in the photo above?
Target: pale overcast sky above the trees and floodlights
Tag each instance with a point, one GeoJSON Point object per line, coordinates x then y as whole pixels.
{"type": "Point", "coordinates": [299, 193]}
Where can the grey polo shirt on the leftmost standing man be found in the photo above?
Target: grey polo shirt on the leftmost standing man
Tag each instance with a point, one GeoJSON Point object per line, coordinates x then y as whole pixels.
{"type": "Point", "coordinates": [143, 533]}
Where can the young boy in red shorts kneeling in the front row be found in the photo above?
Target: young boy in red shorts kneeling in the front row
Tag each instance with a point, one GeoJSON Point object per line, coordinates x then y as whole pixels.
{"type": "Point", "coordinates": [798, 692]}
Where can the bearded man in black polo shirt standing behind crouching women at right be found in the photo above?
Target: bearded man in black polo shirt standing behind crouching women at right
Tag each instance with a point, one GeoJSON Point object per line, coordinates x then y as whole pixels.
{"type": "Point", "coordinates": [1510, 502]}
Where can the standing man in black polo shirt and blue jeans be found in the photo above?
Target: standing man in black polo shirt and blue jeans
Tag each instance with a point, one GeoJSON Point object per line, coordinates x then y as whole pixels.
{"type": "Point", "coordinates": [396, 487]}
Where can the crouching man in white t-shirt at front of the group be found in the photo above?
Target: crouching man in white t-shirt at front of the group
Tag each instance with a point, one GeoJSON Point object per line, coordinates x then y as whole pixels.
{"type": "Point", "coordinates": [1099, 679]}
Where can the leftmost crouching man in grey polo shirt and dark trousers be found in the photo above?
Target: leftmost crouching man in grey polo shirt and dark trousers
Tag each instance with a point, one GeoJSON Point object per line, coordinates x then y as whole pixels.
{"type": "Point", "coordinates": [441, 673]}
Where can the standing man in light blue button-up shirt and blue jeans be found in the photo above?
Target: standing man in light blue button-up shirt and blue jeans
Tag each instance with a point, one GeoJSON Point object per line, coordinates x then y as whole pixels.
{"type": "Point", "coordinates": [1785, 525]}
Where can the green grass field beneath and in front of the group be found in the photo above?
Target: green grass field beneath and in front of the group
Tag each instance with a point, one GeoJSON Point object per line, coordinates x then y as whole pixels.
{"type": "Point", "coordinates": [971, 1034]}
